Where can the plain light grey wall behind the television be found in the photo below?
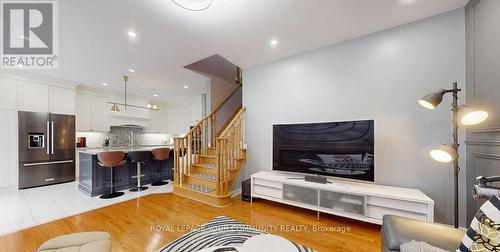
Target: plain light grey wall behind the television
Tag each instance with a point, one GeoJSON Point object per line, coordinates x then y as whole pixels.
{"type": "Point", "coordinates": [380, 77]}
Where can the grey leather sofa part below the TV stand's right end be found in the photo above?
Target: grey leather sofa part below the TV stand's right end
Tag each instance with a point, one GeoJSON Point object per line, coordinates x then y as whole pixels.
{"type": "Point", "coordinates": [398, 230]}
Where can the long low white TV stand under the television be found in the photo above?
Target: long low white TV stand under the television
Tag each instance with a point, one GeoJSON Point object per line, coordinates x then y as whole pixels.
{"type": "Point", "coordinates": [356, 200]}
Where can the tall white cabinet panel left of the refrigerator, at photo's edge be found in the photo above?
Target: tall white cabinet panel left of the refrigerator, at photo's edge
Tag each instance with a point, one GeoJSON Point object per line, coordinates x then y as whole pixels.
{"type": "Point", "coordinates": [8, 149]}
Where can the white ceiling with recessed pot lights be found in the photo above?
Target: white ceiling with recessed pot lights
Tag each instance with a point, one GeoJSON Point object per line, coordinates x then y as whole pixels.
{"type": "Point", "coordinates": [94, 46]}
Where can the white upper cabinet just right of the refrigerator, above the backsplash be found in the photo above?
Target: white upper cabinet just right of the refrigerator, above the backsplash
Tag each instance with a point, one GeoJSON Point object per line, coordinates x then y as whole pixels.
{"type": "Point", "coordinates": [91, 113]}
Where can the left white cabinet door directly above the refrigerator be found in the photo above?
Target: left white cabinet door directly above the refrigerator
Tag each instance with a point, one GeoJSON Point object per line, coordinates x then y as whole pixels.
{"type": "Point", "coordinates": [33, 97]}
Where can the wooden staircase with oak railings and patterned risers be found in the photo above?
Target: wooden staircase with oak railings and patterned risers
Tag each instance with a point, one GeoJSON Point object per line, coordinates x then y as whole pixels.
{"type": "Point", "coordinates": [207, 164]}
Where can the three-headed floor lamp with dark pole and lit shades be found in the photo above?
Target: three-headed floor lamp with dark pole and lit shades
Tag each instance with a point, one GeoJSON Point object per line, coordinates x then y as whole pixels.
{"type": "Point", "coordinates": [464, 115]}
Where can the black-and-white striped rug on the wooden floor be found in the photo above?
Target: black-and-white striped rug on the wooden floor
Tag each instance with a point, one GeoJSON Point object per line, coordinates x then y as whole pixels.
{"type": "Point", "coordinates": [221, 231]}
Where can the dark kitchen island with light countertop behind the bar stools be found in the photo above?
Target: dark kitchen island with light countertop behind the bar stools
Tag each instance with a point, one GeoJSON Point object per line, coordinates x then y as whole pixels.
{"type": "Point", "coordinates": [95, 179]}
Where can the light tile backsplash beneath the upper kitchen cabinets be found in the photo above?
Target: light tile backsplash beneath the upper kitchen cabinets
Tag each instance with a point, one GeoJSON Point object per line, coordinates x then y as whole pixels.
{"type": "Point", "coordinates": [120, 137]}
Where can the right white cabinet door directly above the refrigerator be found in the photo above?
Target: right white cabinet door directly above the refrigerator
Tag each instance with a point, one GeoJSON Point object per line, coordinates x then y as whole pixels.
{"type": "Point", "coordinates": [62, 100]}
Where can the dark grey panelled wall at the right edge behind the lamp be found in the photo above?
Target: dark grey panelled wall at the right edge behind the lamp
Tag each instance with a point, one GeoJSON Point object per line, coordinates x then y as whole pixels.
{"type": "Point", "coordinates": [483, 83]}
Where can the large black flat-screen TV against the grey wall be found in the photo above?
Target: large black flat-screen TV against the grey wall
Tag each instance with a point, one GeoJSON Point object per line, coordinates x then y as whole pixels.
{"type": "Point", "coordinates": [337, 149]}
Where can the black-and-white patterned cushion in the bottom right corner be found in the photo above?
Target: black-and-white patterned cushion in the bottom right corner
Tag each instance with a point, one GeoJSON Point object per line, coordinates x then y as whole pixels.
{"type": "Point", "coordinates": [484, 231]}
